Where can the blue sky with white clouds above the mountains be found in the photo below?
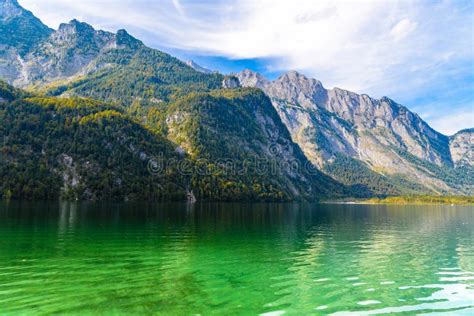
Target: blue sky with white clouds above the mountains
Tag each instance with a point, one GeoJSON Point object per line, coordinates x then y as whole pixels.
{"type": "Point", "coordinates": [419, 53]}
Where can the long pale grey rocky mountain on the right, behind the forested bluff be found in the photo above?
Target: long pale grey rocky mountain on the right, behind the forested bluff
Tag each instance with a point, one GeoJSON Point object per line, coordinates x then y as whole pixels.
{"type": "Point", "coordinates": [336, 128]}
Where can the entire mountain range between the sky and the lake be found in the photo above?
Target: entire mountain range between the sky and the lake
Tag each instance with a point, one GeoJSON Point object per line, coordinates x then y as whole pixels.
{"type": "Point", "coordinates": [143, 104]}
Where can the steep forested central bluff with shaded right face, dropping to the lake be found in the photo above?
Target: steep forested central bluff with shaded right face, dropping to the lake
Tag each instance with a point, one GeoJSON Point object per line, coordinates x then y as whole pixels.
{"type": "Point", "coordinates": [239, 139]}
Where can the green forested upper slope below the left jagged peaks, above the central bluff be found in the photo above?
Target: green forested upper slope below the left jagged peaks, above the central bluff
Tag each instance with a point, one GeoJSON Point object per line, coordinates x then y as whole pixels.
{"type": "Point", "coordinates": [141, 74]}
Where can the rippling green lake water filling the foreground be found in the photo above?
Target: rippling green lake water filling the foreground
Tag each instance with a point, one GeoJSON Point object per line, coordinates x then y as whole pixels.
{"type": "Point", "coordinates": [235, 259]}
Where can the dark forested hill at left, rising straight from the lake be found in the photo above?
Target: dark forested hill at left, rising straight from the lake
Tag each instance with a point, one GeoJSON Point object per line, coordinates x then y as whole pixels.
{"type": "Point", "coordinates": [78, 148]}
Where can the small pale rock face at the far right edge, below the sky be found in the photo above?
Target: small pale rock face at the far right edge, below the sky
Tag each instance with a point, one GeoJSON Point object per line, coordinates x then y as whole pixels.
{"type": "Point", "coordinates": [461, 146]}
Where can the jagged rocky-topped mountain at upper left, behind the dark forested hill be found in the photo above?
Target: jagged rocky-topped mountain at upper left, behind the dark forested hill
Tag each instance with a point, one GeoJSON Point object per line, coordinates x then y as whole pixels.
{"type": "Point", "coordinates": [78, 60]}
